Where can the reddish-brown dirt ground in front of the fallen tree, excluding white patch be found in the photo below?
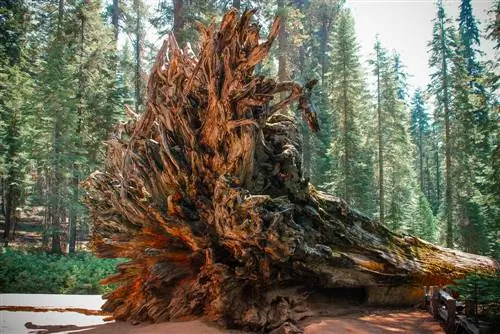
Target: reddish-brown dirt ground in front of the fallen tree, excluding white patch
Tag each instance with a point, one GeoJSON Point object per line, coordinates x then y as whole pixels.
{"type": "Point", "coordinates": [385, 321]}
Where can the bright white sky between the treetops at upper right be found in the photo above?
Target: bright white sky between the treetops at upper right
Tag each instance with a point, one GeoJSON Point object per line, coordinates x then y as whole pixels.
{"type": "Point", "coordinates": [406, 26]}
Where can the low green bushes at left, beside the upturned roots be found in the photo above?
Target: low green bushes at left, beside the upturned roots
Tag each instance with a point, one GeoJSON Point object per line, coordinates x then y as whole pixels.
{"type": "Point", "coordinates": [27, 272]}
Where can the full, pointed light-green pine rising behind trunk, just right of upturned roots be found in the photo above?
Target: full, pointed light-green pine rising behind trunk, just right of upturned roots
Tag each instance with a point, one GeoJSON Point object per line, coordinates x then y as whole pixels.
{"type": "Point", "coordinates": [352, 178]}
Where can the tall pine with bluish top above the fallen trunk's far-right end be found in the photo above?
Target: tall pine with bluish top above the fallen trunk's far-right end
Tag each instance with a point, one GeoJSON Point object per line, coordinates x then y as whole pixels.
{"type": "Point", "coordinates": [473, 130]}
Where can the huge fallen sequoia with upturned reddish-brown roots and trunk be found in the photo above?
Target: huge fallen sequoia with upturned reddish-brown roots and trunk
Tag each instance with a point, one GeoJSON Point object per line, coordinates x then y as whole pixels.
{"type": "Point", "coordinates": [204, 193]}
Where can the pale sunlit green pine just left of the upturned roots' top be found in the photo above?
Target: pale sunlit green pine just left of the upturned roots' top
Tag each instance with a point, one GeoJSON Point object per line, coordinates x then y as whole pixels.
{"type": "Point", "coordinates": [97, 100]}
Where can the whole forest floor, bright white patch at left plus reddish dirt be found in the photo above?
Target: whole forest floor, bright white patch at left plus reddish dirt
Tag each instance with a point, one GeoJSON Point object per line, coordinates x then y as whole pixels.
{"type": "Point", "coordinates": [352, 320]}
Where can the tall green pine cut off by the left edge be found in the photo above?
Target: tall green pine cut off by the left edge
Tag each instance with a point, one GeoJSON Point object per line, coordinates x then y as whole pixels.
{"type": "Point", "coordinates": [15, 88]}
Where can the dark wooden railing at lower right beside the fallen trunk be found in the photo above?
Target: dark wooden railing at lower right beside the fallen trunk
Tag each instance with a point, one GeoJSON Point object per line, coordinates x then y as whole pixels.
{"type": "Point", "coordinates": [444, 307]}
